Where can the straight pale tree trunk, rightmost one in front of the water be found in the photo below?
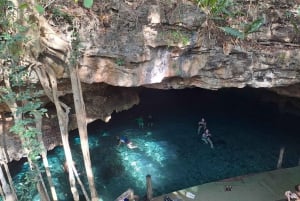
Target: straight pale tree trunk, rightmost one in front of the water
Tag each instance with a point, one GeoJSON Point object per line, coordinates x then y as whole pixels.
{"type": "Point", "coordinates": [82, 128]}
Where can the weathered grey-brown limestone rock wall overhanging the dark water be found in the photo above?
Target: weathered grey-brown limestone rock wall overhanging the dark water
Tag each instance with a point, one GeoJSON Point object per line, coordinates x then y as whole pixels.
{"type": "Point", "coordinates": [168, 44]}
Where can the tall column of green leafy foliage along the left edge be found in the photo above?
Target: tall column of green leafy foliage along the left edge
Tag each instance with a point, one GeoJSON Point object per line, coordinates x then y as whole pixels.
{"type": "Point", "coordinates": [18, 88]}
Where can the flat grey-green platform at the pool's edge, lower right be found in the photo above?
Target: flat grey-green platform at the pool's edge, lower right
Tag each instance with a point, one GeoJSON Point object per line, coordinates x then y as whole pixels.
{"type": "Point", "coordinates": [267, 186]}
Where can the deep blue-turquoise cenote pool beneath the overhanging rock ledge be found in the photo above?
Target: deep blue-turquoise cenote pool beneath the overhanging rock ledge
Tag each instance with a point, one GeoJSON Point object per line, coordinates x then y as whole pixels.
{"type": "Point", "coordinates": [247, 134]}
